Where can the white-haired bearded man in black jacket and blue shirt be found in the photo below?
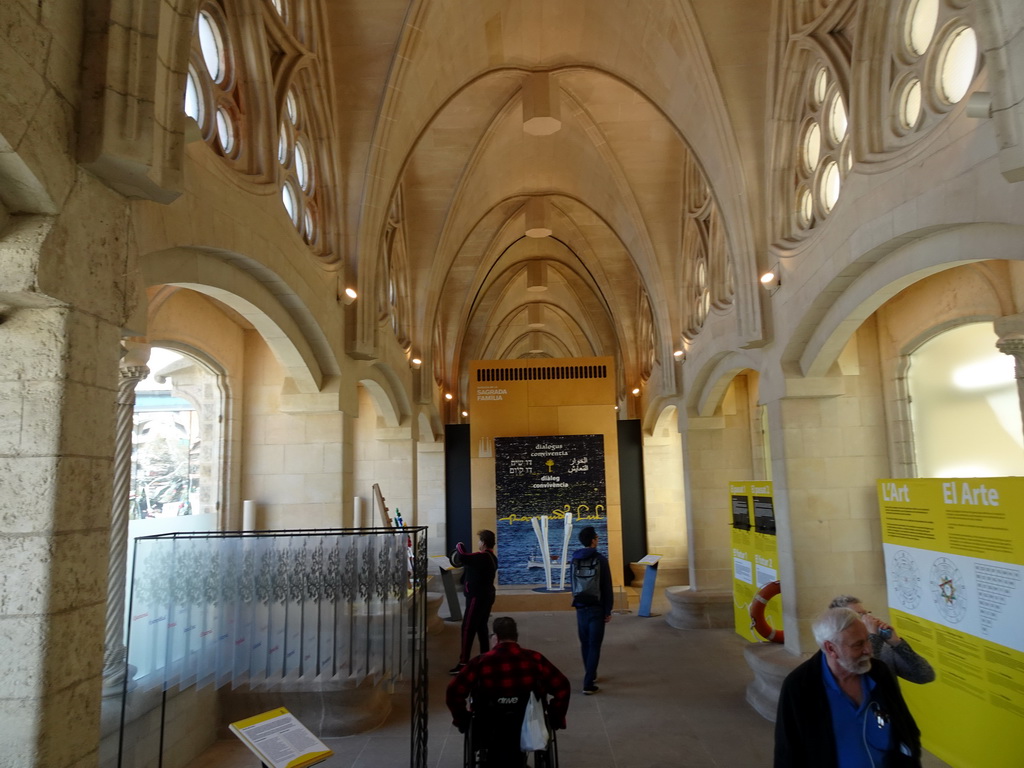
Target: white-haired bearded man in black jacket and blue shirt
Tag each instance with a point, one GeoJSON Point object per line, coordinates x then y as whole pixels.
{"type": "Point", "coordinates": [842, 709]}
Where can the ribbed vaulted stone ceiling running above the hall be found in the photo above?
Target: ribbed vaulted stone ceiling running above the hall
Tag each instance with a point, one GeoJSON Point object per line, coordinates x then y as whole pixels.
{"type": "Point", "coordinates": [431, 104]}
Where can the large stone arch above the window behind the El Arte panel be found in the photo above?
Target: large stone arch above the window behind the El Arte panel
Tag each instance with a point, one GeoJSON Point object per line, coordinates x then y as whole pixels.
{"type": "Point", "coordinates": [904, 266]}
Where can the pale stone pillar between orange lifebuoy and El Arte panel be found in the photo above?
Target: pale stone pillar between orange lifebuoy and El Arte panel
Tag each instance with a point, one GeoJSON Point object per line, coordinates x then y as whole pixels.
{"type": "Point", "coordinates": [828, 449]}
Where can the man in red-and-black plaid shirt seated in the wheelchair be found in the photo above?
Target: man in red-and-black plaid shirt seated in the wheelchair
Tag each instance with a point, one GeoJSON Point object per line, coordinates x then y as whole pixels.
{"type": "Point", "coordinates": [508, 670]}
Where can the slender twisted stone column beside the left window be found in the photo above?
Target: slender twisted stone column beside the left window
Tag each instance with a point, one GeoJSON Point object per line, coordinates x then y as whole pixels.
{"type": "Point", "coordinates": [133, 370]}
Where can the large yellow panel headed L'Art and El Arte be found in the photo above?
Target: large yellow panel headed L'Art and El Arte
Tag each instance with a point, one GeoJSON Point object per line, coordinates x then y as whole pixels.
{"type": "Point", "coordinates": [955, 568]}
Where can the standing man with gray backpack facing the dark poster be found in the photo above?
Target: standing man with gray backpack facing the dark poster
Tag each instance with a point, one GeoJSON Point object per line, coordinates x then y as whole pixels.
{"type": "Point", "coordinates": [592, 598]}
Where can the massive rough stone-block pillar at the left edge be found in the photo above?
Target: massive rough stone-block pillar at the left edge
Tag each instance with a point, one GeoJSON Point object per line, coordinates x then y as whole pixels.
{"type": "Point", "coordinates": [57, 406]}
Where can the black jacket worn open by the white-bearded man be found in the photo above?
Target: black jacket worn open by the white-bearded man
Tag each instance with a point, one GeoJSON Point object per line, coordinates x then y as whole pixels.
{"type": "Point", "coordinates": [803, 723]}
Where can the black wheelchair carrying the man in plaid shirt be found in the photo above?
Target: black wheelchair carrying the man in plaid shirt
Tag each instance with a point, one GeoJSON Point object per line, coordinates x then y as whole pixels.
{"type": "Point", "coordinates": [493, 738]}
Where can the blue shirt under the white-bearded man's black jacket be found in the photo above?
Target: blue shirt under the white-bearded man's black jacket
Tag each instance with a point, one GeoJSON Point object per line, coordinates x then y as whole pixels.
{"type": "Point", "coordinates": [863, 734]}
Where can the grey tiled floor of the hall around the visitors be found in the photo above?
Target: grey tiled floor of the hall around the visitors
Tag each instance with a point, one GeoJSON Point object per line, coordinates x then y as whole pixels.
{"type": "Point", "coordinates": [668, 699]}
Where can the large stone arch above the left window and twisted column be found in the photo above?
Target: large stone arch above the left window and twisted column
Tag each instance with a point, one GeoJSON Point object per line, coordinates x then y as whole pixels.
{"type": "Point", "coordinates": [222, 276]}
